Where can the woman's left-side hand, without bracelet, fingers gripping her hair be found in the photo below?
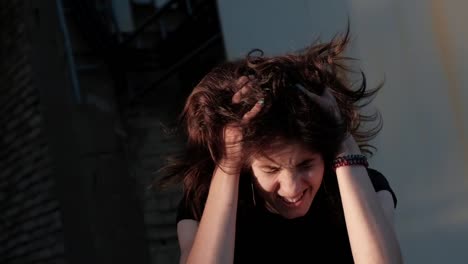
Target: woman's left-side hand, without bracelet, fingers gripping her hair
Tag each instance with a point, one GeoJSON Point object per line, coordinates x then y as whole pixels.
{"type": "Point", "coordinates": [233, 134]}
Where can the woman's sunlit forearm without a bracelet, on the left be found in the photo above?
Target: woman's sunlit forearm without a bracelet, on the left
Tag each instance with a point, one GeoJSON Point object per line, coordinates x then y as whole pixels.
{"type": "Point", "coordinates": [215, 238]}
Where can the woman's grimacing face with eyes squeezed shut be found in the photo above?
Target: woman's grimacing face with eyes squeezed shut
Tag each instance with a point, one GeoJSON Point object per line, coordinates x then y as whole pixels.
{"type": "Point", "coordinates": [287, 178]}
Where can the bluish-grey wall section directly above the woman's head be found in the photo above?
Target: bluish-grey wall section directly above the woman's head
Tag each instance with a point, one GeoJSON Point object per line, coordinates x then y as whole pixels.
{"type": "Point", "coordinates": [276, 27]}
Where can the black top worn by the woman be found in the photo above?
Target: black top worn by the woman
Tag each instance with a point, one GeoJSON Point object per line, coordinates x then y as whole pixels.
{"type": "Point", "coordinates": [318, 237]}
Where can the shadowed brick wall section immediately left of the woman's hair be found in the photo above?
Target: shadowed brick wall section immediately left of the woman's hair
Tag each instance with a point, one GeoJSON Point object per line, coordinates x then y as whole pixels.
{"type": "Point", "coordinates": [148, 146]}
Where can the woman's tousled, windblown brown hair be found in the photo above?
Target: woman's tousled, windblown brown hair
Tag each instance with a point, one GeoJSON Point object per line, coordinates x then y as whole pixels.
{"type": "Point", "coordinates": [288, 113]}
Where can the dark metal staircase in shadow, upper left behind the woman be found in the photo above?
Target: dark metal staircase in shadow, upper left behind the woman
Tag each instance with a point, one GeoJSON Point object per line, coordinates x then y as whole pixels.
{"type": "Point", "coordinates": [163, 41]}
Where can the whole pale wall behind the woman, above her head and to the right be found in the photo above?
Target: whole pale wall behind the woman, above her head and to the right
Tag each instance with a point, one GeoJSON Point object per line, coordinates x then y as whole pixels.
{"type": "Point", "coordinates": [419, 47]}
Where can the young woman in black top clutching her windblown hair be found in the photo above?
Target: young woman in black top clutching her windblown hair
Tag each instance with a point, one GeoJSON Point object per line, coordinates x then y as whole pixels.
{"type": "Point", "coordinates": [274, 167]}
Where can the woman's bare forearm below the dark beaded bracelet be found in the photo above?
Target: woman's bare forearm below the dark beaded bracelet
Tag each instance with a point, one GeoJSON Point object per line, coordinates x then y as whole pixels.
{"type": "Point", "coordinates": [372, 237]}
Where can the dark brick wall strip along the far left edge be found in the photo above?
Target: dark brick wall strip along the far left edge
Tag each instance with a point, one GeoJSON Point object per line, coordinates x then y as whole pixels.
{"type": "Point", "coordinates": [30, 217]}
